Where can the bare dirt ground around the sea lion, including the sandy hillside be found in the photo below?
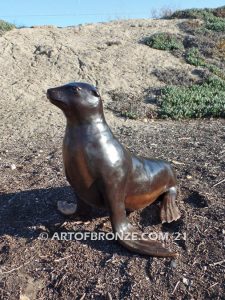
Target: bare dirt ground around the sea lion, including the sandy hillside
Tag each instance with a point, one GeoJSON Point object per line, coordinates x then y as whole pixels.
{"type": "Point", "coordinates": [32, 177]}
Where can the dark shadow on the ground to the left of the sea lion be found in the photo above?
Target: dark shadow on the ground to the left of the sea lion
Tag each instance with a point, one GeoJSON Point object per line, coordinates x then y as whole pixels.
{"type": "Point", "coordinates": [22, 212]}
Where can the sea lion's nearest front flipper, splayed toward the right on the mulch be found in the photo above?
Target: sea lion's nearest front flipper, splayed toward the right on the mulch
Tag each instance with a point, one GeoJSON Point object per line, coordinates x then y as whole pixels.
{"type": "Point", "coordinates": [126, 234]}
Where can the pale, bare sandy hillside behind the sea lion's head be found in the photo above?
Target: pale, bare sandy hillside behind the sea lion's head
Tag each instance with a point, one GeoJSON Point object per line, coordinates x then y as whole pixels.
{"type": "Point", "coordinates": [108, 55]}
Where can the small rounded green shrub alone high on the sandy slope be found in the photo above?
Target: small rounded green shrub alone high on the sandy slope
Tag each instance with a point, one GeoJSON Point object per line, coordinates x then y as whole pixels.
{"type": "Point", "coordinates": [163, 41]}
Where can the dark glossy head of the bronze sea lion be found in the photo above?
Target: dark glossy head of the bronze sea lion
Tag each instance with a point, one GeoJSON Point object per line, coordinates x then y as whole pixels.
{"type": "Point", "coordinates": [77, 100]}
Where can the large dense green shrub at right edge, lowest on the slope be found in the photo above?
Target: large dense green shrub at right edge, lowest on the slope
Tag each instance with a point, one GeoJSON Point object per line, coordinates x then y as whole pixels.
{"type": "Point", "coordinates": [196, 101]}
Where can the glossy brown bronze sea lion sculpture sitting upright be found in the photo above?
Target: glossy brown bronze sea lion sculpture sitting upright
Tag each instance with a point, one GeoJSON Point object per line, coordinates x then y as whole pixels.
{"type": "Point", "coordinates": [105, 174]}
